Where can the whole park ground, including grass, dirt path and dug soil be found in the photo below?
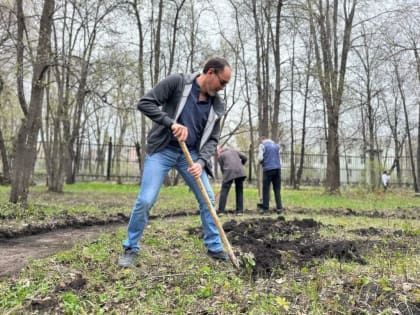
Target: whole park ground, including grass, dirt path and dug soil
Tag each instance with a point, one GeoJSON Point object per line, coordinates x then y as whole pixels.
{"type": "Point", "coordinates": [357, 253]}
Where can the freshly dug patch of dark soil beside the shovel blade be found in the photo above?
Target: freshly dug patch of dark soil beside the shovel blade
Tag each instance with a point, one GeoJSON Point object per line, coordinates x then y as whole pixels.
{"type": "Point", "coordinates": [276, 244]}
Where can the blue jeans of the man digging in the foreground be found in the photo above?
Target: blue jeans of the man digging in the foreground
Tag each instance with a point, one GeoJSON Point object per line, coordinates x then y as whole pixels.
{"type": "Point", "coordinates": [156, 167]}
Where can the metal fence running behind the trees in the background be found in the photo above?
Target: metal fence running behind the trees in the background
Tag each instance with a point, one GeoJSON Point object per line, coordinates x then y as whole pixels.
{"type": "Point", "coordinates": [120, 162]}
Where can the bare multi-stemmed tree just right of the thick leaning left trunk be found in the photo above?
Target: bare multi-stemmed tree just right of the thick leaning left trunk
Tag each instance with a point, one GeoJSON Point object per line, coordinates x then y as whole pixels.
{"type": "Point", "coordinates": [76, 35]}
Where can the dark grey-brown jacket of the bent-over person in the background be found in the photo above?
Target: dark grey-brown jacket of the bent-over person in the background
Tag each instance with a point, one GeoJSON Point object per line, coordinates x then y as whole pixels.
{"type": "Point", "coordinates": [232, 164]}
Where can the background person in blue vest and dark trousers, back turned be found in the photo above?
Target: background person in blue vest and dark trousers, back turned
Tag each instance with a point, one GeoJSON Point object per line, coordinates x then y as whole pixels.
{"type": "Point", "coordinates": [269, 157]}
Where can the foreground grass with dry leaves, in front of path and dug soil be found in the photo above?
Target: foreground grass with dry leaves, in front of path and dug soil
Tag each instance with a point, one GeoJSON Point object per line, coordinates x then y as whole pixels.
{"type": "Point", "coordinates": [173, 276]}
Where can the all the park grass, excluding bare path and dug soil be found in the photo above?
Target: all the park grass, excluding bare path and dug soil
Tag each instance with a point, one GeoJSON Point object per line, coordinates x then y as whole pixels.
{"type": "Point", "coordinates": [174, 276]}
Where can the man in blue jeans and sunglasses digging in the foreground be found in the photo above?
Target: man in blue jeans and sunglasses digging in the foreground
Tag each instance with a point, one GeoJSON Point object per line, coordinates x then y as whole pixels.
{"type": "Point", "coordinates": [183, 107]}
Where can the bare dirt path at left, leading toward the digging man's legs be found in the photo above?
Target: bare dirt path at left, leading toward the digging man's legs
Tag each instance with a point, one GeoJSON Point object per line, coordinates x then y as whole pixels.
{"type": "Point", "coordinates": [15, 253]}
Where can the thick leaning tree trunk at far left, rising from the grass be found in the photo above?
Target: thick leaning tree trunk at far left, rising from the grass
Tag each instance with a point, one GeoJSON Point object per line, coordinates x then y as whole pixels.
{"type": "Point", "coordinates": [26, 142]}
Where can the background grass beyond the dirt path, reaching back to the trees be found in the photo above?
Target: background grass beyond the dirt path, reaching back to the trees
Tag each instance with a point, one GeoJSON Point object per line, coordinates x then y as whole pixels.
{"type": "Point", "coordinates": [104, 200]}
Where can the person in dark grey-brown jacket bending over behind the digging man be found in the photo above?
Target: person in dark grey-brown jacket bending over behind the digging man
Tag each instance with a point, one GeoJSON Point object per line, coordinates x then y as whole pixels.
{"type": "Point", "coordinates": [231, 163]}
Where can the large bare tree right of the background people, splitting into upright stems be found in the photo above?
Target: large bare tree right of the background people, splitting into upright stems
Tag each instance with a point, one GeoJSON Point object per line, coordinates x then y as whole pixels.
{"type": "Point", "coordinates": [324, 19]}
